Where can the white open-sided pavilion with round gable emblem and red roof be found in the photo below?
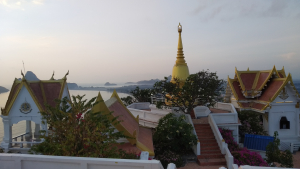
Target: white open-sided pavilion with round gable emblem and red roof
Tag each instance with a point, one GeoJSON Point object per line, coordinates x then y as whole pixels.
{"type": "Point", "coordinates": [26, 99]}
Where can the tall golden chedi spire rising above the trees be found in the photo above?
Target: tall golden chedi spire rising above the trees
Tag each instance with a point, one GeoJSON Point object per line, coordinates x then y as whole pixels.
{"type": "Point", "coordinates": [180, 69]}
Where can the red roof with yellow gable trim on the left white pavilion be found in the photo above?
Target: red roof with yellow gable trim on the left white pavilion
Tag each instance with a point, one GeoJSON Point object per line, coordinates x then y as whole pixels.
{"type": "Point", "coordinates": [42, 92]}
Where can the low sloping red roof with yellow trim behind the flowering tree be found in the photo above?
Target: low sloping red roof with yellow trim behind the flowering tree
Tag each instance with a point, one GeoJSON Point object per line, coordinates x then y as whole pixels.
{"type": "Point", "coordinates": [139, 136]}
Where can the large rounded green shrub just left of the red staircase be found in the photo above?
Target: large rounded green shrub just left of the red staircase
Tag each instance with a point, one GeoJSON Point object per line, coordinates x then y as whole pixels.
{"type": "Point", "coordinates": [173, 134]}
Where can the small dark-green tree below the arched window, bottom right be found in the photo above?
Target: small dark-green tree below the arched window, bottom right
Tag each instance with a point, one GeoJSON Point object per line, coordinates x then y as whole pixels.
{"type": "Point", "coordinates": [285, 158]}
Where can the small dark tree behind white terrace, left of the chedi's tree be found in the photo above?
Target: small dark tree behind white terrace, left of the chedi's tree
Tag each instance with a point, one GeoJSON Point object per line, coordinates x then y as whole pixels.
{"type": "Point", "coordinates": [138, 95]}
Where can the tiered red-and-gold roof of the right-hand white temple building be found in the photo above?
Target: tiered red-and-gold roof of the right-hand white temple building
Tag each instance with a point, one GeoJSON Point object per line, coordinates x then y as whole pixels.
{"type": "Point", "coordinates": [256, 89]}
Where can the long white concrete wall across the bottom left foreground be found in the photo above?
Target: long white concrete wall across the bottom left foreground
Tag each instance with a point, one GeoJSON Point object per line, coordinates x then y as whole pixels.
{"type": "Point", "coordinates": [26, 161]}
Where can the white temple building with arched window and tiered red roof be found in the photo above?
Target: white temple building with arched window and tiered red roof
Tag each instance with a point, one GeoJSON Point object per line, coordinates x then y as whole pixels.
{"type": "Point", "coordinates": [272, 93]}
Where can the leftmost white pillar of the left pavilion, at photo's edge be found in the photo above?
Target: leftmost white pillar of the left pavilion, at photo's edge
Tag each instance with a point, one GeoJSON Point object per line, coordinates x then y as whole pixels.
{"type": "Point", "coordinates": [6, 143]}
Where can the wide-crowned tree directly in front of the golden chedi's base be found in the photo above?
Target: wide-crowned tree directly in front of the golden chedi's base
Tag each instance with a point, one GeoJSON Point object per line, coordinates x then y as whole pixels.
{"type": "Point", "coordinates": [202, 88]}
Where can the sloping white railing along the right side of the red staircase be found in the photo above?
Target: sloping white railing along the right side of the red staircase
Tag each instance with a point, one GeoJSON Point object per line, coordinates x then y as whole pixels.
{"type": "Point", "coordinates": [221, 142]}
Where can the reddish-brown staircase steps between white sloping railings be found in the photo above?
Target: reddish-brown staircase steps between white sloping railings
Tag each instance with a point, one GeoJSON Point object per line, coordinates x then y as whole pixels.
{"type": "Point", "coordinates": [210, 152]}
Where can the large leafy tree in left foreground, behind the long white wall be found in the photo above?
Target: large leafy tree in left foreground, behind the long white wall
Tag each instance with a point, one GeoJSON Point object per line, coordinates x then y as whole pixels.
{"type": "Point", "coordinates": [78, 131]}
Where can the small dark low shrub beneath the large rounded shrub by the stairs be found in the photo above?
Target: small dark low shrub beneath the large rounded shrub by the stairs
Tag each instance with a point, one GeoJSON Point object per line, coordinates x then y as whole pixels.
{"type": "Point", "coordinates": [169, 157]}
